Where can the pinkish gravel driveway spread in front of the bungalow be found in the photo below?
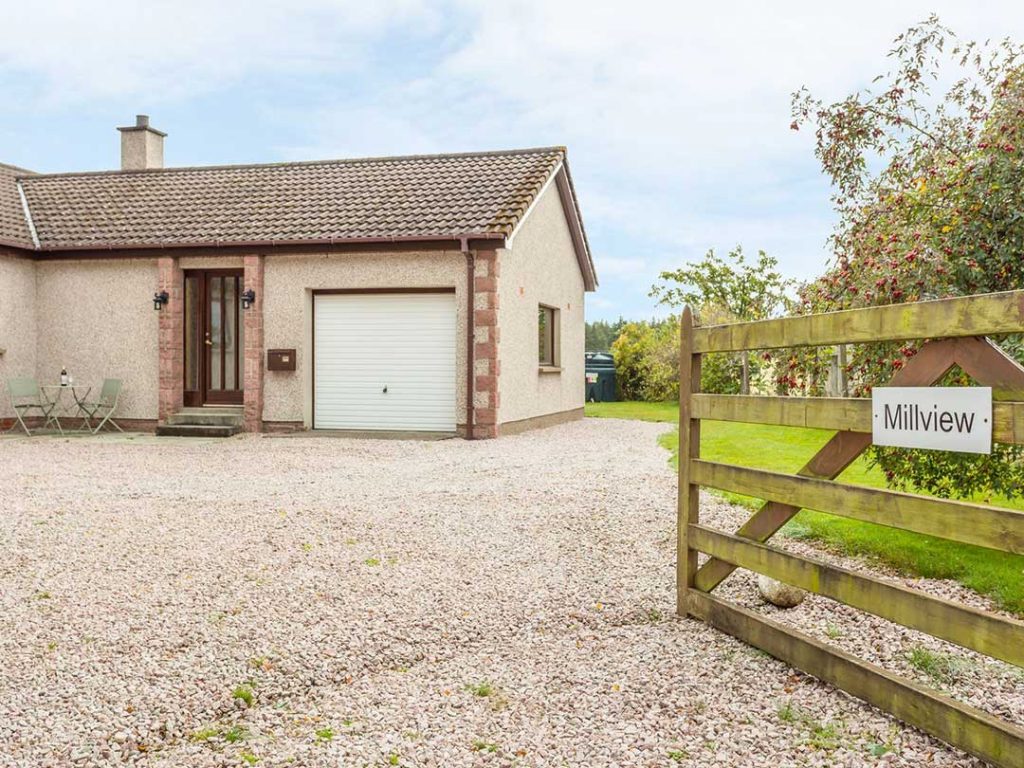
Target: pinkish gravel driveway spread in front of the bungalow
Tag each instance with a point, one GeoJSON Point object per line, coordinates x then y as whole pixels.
{"type": "Point", "coordinates": [320, 602]}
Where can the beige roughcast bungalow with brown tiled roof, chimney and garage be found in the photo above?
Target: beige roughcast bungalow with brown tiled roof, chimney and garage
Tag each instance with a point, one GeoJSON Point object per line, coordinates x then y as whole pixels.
{"type": "Point", "coordinates": [436, 293]}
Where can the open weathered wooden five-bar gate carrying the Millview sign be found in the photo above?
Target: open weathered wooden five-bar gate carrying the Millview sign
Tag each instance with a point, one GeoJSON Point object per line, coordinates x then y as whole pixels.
{"type": "Point", "coordinates": [956, 330]}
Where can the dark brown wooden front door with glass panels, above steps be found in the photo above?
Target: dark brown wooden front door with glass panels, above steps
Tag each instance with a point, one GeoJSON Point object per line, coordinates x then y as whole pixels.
{"type": "Point", "coordinates": [215, 336]}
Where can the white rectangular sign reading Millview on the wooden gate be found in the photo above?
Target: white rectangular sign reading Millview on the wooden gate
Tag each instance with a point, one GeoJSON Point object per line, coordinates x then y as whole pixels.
{"type": "Point", "coordinates": [938, 418]}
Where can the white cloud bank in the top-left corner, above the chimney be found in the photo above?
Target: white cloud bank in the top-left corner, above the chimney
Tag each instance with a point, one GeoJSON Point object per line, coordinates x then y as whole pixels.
{"type": "Point", "coordinates": [167, 50]}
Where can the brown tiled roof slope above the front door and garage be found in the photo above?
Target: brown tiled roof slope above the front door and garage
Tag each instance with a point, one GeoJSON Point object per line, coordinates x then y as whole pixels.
{"type": "Point", "coordinates": [483, 194]}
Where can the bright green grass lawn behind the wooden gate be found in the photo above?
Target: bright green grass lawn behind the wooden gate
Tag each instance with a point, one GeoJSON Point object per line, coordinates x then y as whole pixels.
{"type": "Point", "coordinates": [787, 450]}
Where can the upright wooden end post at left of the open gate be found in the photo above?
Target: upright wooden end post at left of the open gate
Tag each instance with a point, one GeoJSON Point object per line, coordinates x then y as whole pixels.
{"type": "Point", "coordinates": [689, 501]}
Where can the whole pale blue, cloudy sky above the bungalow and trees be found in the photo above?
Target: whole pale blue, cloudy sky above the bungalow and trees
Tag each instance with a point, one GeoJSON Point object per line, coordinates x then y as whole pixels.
{"type": "Point", "coordinates": [676, 115]}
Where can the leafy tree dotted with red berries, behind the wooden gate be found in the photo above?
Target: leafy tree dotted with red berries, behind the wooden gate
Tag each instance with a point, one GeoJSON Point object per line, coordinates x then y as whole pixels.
{"type": "Point", "coordinates": [929, 187]}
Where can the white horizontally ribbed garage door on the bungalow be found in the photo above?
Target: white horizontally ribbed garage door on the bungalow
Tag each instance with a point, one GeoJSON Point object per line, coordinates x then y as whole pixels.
{"type": "Point", "coordinates": [385, 362]}
